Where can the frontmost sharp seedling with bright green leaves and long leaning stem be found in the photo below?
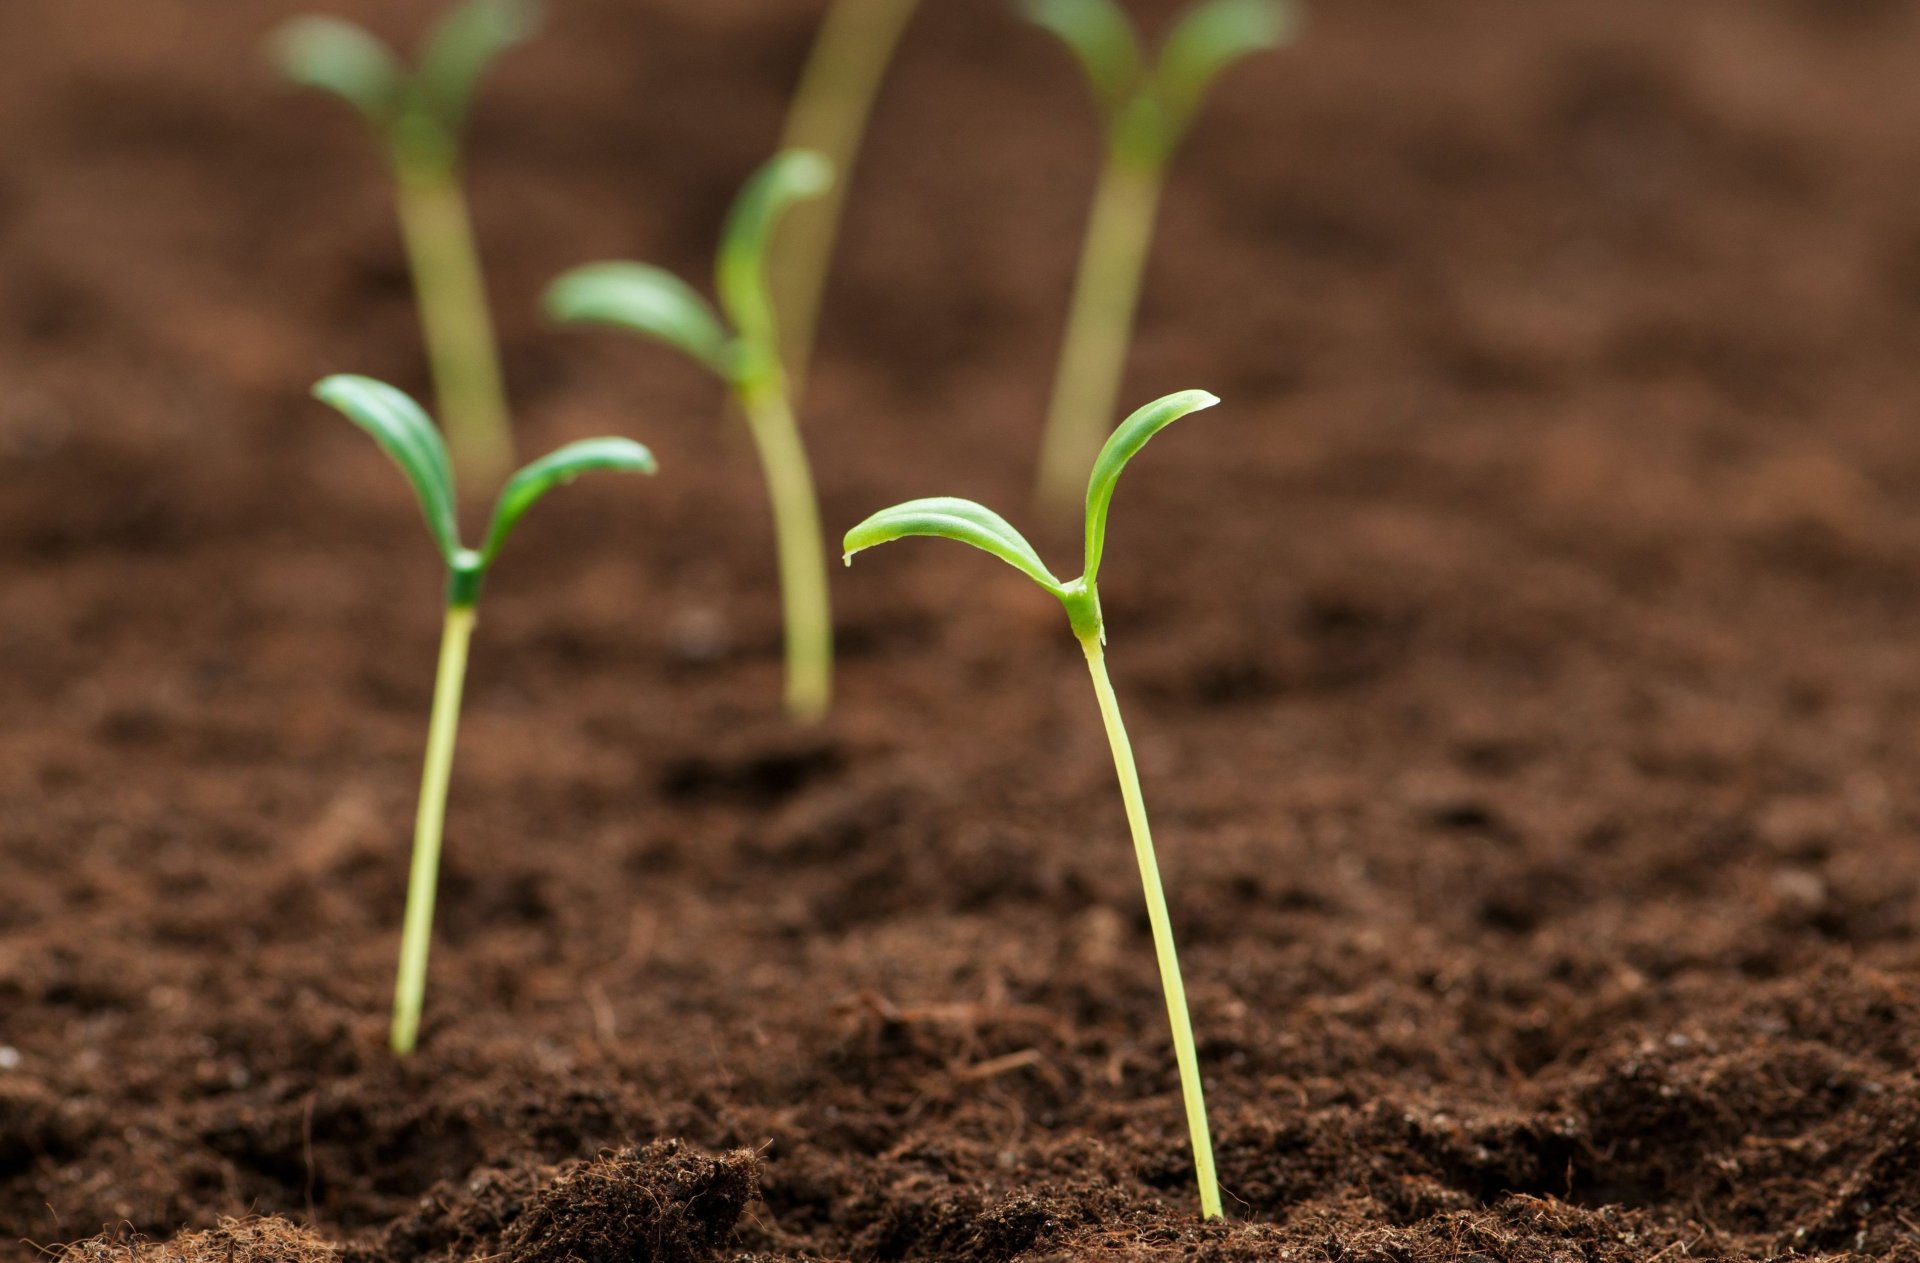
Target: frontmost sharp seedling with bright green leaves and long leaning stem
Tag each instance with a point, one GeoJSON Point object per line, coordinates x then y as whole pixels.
{"type": "Point", "coordinates": [969, 523]}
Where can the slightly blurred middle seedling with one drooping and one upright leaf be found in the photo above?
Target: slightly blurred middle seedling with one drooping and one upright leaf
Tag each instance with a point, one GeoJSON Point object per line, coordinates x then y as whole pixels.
{"type": "Point", "coordinates": [654, 302]}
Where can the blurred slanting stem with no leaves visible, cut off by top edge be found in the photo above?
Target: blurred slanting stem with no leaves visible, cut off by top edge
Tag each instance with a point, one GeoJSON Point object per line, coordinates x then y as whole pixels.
{"type": "Point", "coordinates": [830, 112]}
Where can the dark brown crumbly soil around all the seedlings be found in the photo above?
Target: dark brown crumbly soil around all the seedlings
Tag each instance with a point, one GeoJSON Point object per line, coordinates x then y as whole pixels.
{"type": "Point", "coordinates": [1524, 665]}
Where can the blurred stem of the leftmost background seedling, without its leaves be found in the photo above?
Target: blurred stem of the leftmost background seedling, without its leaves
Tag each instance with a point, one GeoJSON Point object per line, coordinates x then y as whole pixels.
{"type": "Point", "coordinates": [456, 323]}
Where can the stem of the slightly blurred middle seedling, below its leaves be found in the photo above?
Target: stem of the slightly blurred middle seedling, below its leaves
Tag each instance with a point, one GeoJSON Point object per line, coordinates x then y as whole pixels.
{"type": "Point", "coordinates": [804, 563]}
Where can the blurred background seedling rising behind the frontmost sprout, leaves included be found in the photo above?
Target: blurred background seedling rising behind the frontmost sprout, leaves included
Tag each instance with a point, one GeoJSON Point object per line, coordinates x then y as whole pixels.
{"type": "Point", "coordinates": [1145, 108]}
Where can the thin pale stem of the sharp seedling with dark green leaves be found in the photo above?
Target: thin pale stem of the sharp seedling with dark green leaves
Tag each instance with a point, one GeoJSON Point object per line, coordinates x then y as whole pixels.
{"type": "Point", "coordinates": [418, 932]}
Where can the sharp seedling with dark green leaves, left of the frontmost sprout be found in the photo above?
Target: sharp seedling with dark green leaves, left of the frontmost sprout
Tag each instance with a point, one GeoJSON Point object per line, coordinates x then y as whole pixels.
{"type": "Point", "coordinates": [410, 437]}
